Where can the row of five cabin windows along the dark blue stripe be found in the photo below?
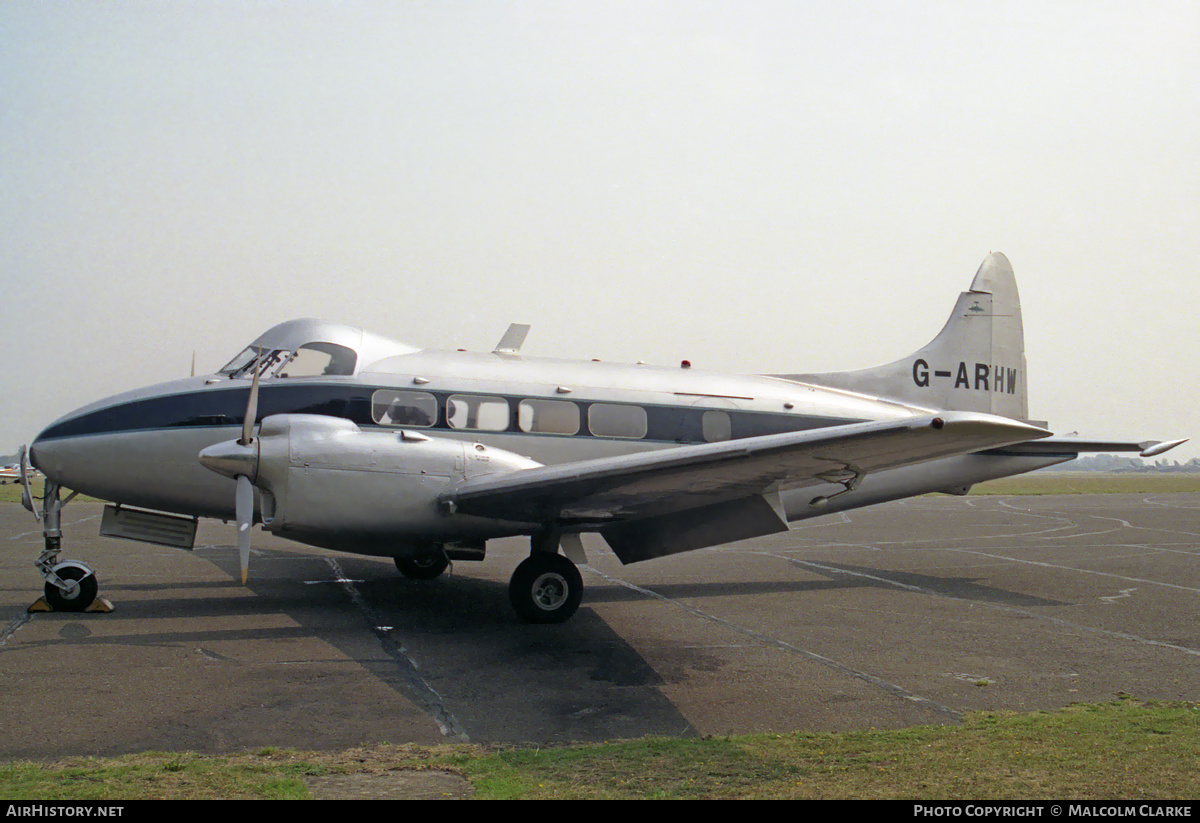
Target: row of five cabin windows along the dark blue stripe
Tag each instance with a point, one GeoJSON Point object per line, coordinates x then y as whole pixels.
{"type": "Point", "coordinates": [488, 413]}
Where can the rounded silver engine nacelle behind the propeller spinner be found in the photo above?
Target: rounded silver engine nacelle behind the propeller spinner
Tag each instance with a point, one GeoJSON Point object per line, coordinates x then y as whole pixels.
{"type": "Point", "coordinates": [326, 482]}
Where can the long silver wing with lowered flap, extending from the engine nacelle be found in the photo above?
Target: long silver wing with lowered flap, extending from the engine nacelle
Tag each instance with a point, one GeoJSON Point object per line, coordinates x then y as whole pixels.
{"type": "Point", "coordinates": [677, 500]}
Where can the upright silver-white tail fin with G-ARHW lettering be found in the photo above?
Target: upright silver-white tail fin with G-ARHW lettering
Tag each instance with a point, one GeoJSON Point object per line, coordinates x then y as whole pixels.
{"type": "Point", "coordinates": [976, 364]}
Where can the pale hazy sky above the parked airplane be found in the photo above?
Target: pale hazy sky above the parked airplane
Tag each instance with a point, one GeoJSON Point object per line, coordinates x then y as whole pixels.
{"type": "Point", "coordinates": [754, 187]}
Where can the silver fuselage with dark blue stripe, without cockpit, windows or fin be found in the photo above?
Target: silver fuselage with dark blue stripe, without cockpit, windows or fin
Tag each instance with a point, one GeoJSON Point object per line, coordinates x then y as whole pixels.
{"type": "Point", "coordinates": [141, 448]}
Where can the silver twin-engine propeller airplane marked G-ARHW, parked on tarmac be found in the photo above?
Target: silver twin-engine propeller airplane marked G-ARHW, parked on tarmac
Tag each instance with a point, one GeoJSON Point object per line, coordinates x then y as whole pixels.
{"type": "Point", "coordinates": [371, 447]}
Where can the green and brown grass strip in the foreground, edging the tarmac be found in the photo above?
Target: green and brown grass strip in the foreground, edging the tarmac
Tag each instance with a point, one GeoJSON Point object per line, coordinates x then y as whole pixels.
{"type": "Point", "coordinates": [1121, 750]}
